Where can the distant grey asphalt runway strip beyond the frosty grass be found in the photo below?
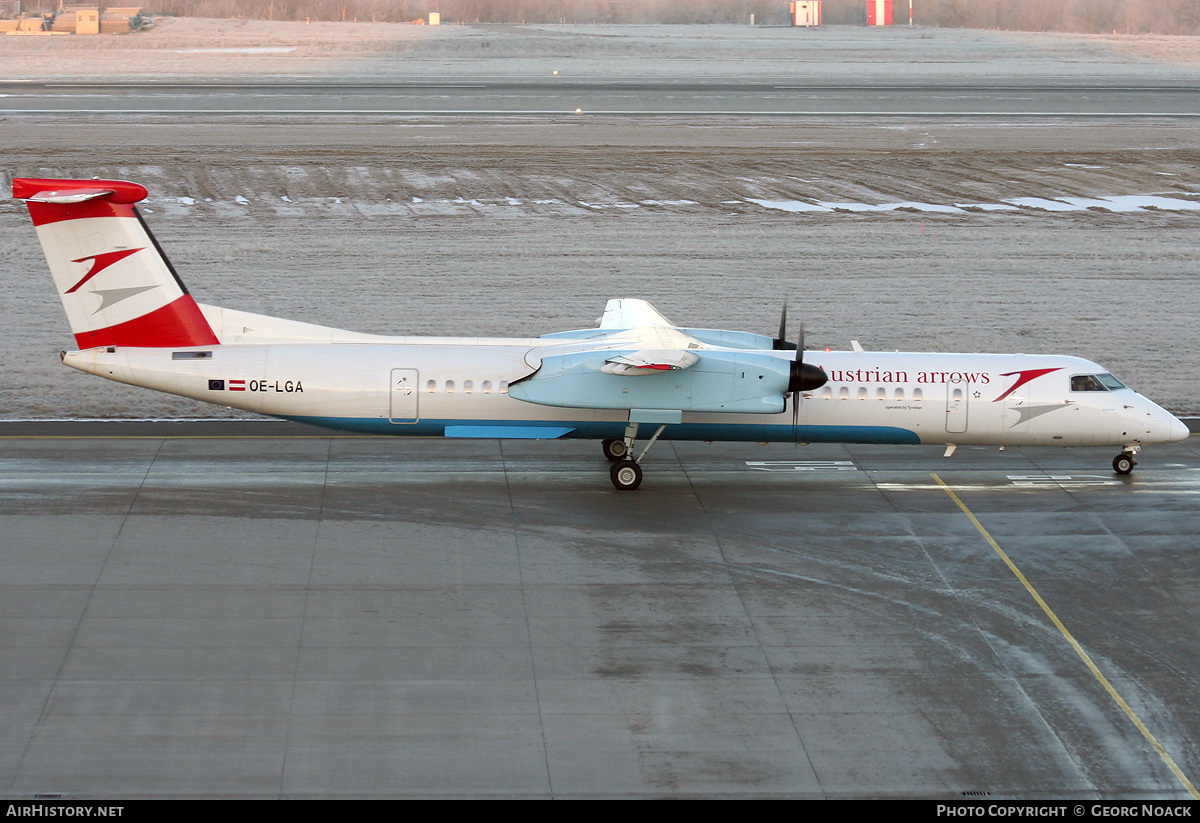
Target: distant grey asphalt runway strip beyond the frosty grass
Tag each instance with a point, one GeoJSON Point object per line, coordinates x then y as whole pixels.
{"type": "Point", "coordinates": [634, 98]}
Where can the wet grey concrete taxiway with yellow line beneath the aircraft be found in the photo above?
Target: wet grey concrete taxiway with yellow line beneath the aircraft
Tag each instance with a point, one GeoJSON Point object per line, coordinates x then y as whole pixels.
{"type": "Point", "coordinates": [193, 615]}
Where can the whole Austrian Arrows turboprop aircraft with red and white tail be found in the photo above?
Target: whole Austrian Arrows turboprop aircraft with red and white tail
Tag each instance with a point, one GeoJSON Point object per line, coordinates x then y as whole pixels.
{"type": "Point", "coordinates": [135, 322]}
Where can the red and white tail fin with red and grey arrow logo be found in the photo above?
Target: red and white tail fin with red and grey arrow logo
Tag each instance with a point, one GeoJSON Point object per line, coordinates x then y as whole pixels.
{"type": "Point", "coordinates": [117, 286]}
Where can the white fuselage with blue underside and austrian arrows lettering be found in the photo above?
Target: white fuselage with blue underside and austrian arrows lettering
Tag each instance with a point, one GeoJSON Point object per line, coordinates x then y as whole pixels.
{"type": "Point", "coordinates": [460, 388]}
